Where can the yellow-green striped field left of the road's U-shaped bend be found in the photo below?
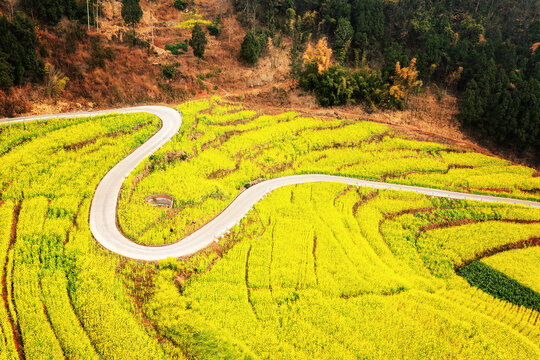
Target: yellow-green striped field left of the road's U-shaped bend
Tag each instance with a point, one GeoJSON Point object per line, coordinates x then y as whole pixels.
{"type": "Point", "coordinates": [67, 299]}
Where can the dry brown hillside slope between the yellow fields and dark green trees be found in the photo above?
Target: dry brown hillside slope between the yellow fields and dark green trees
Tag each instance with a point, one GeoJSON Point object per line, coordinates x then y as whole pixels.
{"type": "Point", "coordinates": [135, 75]}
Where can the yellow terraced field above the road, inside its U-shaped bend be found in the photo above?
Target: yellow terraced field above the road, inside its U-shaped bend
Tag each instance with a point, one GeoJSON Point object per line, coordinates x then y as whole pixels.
{"type": "Point", "coordinates": [222, 148]}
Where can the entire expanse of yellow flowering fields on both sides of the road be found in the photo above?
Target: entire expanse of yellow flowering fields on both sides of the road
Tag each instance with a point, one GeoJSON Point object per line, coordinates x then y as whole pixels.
{"type": "Point", "coordinates": [314, 271]}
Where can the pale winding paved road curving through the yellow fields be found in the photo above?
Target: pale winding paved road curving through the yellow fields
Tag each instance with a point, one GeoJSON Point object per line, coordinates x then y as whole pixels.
{"type": "Point", "coordinates": [104, 204]}
